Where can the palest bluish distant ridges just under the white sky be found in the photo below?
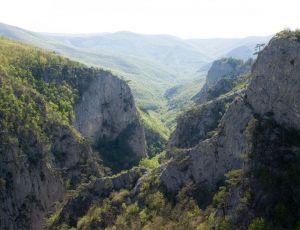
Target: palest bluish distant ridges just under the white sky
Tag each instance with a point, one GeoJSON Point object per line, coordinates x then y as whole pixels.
{"type": "Point", "coordinates": [186, 55]}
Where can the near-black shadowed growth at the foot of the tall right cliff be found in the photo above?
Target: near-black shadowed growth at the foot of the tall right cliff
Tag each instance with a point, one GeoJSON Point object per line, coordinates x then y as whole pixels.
{"type": "Point", "coordinates": [274, 169]}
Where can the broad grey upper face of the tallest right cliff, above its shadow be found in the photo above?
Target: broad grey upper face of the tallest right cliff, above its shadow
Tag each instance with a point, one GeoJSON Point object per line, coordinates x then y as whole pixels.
{"type": "Point", "coordinates": [276, 86]}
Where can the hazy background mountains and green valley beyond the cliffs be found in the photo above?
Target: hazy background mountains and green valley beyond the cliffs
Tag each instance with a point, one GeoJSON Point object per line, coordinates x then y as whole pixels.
{"type": "Point", "coordinates": [152, 63]}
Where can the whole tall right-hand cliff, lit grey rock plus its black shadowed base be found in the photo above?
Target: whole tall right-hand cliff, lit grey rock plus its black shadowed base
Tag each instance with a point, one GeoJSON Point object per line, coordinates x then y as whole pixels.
{"type": "Point", "coordinates": [244, 141]}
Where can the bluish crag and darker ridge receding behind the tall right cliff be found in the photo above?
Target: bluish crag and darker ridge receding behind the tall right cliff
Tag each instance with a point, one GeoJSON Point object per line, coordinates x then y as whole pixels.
{"type": "Point", "coordinates": [223, 85]}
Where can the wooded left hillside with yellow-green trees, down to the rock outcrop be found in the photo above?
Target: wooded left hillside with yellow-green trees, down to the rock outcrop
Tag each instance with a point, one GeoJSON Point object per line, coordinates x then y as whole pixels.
{"type": "Point", "coordinates": [38, 91]}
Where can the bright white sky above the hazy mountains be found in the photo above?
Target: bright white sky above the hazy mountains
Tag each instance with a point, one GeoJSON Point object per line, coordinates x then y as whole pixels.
{"type": "Point", "coordinates": [182, 18]}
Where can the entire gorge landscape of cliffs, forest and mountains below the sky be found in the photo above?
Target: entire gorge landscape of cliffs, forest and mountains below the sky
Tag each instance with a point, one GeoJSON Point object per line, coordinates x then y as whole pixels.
{"type": "Point", "coordinates": [84, 148]}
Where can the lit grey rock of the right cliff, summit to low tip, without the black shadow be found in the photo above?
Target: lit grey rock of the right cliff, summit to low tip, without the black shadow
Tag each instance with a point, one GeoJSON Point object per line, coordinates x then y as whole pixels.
{"type": "Point", "coordinates": [273, 91]}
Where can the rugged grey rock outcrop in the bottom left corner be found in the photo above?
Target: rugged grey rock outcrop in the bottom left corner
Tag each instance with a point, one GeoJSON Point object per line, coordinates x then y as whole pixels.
{"type": "Point", "coordinates": [28, 192]}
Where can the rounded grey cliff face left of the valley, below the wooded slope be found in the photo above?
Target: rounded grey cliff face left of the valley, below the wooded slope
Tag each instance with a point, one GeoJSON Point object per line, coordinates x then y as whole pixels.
{"type": "Point", "coordinates": [106, 109]}
